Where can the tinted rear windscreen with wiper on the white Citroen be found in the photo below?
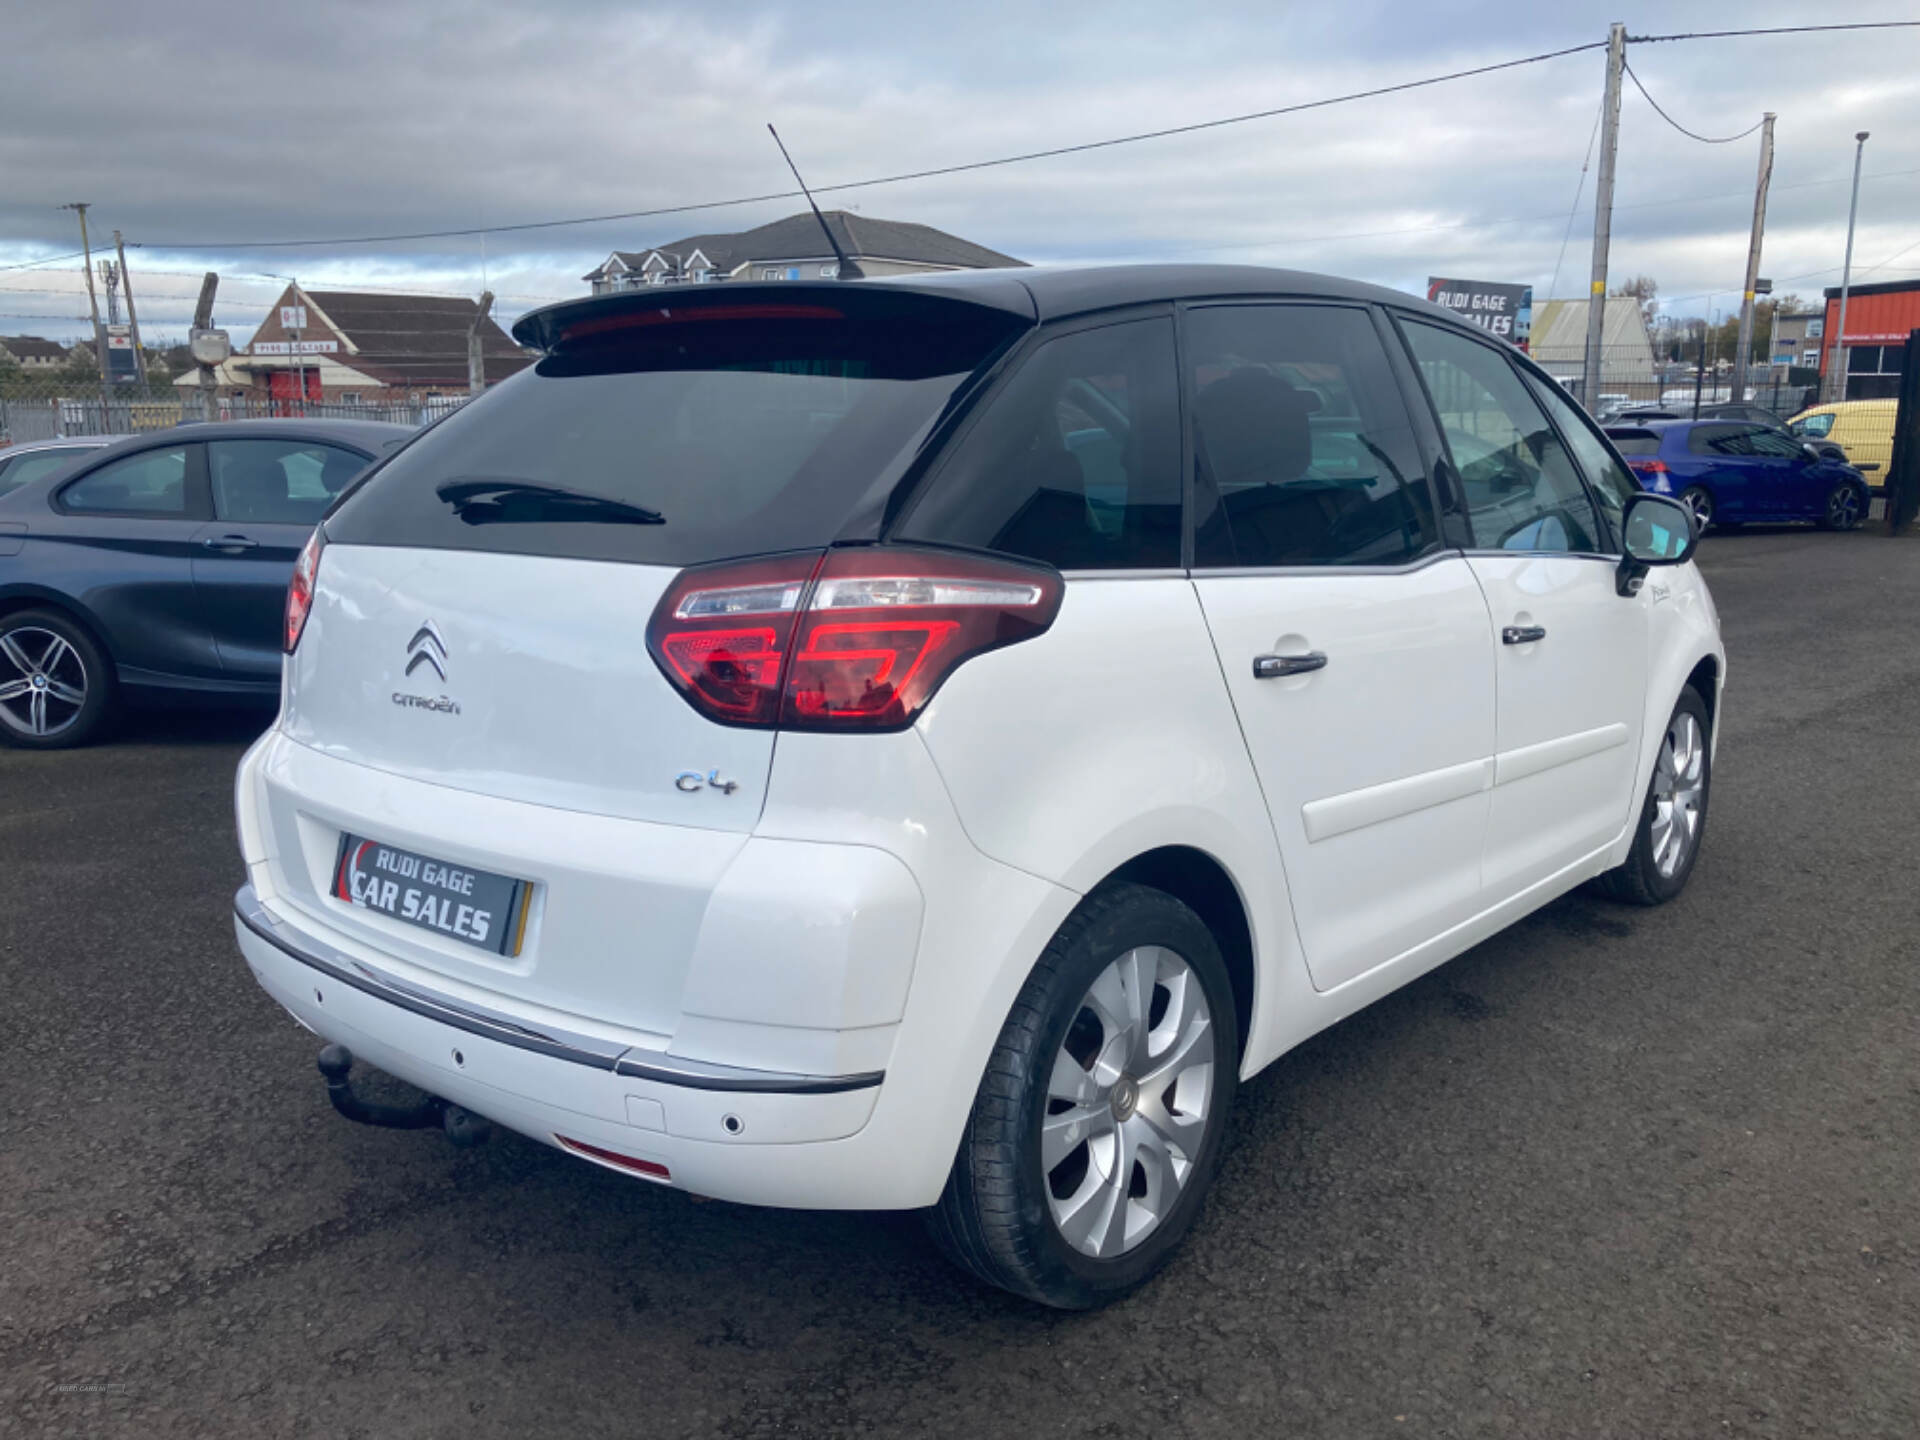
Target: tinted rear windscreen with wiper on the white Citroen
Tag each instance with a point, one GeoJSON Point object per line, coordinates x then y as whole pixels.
{"type": "Point", "coordinates": [684, 437]}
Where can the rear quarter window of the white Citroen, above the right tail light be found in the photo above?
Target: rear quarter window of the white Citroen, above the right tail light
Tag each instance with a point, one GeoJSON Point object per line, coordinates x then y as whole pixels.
{"type": "Point", "coordinates": [1076, 462]}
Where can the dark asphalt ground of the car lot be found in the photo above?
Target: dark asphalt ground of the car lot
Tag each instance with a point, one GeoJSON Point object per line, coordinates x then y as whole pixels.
{"type": "Point", "coordinates": [1616, 1172]}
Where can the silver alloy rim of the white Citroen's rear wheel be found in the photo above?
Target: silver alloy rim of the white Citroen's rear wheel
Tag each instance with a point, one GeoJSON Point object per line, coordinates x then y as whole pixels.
{"type": "Point", "coordinates": [1130, 1101]}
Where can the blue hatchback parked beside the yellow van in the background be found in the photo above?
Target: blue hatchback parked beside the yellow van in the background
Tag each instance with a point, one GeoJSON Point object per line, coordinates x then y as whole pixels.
{"type": "Point", "coordinates": [1735, 471]}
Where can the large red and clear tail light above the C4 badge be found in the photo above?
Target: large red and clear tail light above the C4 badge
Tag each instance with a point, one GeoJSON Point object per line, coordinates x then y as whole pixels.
{"type": "Point", "coordinates": [848, 640]}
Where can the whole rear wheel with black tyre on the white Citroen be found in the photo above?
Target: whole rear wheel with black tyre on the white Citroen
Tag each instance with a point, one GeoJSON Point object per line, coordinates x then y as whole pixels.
{"type": "Point", "coordinates": [1101, 1115]}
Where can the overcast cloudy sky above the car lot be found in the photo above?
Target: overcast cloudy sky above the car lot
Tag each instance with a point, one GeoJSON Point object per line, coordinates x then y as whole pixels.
{"type": "Point", "coordinates": [193, 128]}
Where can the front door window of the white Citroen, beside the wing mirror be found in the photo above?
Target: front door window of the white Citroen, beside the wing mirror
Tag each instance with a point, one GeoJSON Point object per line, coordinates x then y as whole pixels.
{"type": "Point", "coordinates": [1520, 483]}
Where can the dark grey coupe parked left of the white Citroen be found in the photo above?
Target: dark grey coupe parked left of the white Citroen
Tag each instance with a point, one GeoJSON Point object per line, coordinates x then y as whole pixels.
{"type": "Point", "coordinates": [156, 569]}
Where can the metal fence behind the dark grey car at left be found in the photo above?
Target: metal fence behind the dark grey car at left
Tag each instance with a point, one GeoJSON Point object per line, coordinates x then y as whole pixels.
{"type": "Point", "coordinates": [55, 410]}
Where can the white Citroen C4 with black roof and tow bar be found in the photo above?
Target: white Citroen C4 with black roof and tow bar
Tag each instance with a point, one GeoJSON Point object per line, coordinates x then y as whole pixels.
{"type": "Point", "coordinates": [923, 744]}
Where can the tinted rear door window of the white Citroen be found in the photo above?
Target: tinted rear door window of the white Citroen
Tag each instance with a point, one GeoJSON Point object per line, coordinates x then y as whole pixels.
{"type": "Point", "coordinates": [1305, 446]}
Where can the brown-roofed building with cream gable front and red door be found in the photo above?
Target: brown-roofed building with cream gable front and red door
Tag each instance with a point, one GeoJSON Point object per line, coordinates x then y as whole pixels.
{"type": "Point", "coordinates": [362, 347]}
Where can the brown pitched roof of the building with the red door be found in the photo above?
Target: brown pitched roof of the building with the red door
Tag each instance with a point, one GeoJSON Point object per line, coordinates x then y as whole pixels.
{"type": "Point", "coordinates": [416, 339]}
